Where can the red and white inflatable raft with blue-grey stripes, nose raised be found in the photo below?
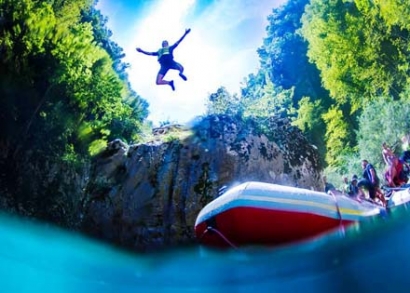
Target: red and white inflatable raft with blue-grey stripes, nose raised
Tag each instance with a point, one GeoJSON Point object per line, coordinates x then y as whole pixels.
{"type": "Point", "coordinates": [256, 213]}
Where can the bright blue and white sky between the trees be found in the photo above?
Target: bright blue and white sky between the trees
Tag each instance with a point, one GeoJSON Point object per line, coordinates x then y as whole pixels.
{"type": "Point", "coordinates": [219, 51]}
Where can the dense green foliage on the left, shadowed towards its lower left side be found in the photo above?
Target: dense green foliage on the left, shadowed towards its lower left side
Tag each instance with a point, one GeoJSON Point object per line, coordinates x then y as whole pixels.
{"type": "Point", "coordinates": [63, 91]}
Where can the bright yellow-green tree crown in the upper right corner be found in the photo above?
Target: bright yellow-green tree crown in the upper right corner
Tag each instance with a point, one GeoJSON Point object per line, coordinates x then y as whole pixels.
{"type": "Point", "coordinates": [359, 54]}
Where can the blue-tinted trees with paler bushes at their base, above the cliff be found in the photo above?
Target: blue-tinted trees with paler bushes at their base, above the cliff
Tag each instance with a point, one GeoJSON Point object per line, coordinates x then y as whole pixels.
{"type": "Point", "coordinates": [284, 64]}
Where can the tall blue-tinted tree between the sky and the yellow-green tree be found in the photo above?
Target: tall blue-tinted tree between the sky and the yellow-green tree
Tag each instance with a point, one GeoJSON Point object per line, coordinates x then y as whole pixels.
{"type": "Point", "coordinates": [284, 54]}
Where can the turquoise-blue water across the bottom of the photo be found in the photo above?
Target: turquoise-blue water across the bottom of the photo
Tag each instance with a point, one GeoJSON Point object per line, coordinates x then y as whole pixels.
{"type": "Point", "coordinates": [372, 256]}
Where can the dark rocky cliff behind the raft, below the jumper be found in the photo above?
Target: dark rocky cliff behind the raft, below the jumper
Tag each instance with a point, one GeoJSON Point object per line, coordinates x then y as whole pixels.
{"type": "Point", "coordinates": [147, 196]}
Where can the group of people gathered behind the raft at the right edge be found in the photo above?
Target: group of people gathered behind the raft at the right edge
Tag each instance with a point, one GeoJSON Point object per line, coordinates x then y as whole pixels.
{"type": "Point", "coordinates": [396, 175]}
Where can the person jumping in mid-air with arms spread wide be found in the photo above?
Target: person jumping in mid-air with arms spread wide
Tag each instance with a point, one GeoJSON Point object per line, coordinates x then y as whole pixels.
{"type": "Point", "coordinates": [166, 60]}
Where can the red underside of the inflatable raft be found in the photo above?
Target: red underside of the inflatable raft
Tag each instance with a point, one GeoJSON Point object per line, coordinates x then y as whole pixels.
{"type": "Point", "coordinates": [247, 225]}
